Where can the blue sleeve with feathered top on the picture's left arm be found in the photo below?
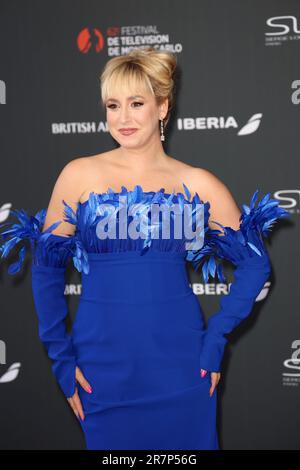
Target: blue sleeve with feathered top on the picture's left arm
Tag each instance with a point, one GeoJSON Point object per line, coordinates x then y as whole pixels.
{"type": "Point", "coordinates": [50, 256]}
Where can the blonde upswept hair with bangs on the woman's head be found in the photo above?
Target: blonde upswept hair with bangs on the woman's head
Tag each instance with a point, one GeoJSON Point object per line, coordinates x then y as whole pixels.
{"type": "Point", "coordinates": [141, 69]}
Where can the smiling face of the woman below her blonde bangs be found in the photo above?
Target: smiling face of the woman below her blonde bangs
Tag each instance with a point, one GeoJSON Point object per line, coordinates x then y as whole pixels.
{"type": "Point", "coordinates": [140, 112]}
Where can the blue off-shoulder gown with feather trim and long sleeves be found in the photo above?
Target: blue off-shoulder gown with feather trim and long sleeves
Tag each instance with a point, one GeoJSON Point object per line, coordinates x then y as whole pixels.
{"type": "Point", "coordinates": [139, 334]}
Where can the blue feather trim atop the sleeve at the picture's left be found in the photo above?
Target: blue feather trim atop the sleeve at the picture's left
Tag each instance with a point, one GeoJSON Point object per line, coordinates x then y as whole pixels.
{"type": "Point", "coordinates": [47, 249]}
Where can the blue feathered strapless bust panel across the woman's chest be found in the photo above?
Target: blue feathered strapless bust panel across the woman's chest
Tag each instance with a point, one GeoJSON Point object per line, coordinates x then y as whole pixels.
{"type": "Point", "coordinates": [127, 210]}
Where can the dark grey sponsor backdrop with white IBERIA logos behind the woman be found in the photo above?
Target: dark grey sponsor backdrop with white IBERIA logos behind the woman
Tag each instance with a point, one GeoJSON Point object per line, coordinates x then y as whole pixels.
{"type": "Point", "coordinates": [237, 114]}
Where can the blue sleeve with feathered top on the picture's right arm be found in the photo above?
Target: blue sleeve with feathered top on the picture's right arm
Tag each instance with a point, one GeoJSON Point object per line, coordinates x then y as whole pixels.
{"type": "Point", "coordinates": [244, 248]}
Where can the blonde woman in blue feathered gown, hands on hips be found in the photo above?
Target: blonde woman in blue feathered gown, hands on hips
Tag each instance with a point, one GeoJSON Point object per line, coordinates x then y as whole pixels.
{"type": "Point", "coordinates": [139, 368]}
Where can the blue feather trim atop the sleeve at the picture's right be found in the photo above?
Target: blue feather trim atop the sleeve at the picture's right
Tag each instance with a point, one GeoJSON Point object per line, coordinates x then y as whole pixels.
{"type": "Point", "coordinates": [236, 245]}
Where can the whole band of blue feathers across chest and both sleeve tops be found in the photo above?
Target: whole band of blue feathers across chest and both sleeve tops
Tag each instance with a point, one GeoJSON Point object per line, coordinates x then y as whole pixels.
{"type": "Point", "coordinates": [115, 222]}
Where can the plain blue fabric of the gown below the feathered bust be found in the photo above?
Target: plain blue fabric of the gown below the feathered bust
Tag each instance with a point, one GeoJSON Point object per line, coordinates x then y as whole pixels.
{"type": "Point", "coordinates": [137, 334]}
